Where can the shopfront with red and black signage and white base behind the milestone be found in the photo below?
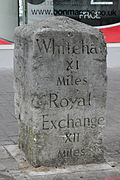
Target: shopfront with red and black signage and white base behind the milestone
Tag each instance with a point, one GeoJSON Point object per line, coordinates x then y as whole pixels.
{"type": "Point", "coordinates": [102, 14]}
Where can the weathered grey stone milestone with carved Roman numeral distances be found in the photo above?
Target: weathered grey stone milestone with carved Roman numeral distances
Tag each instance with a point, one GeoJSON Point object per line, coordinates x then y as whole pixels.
{"type": "Point", "coordinates": [60, 92]}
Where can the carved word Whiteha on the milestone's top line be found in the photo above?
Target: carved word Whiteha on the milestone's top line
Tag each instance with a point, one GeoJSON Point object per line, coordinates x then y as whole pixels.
{"type": "Point", "coordinates": [53, 47]}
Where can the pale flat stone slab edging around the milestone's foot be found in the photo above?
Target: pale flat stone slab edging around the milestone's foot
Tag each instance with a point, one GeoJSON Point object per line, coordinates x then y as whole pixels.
{"type": "Point", "coordinates": [63, 173]}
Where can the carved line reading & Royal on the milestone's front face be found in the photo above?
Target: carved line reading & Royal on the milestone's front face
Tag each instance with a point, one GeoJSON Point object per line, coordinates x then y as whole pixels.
{"type": "Point", "coordinates": [54, 100]}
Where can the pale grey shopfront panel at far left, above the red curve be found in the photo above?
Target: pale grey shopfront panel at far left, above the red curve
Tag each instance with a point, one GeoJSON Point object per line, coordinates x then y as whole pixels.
{"type": "Point", "coordinates": [8, 18]}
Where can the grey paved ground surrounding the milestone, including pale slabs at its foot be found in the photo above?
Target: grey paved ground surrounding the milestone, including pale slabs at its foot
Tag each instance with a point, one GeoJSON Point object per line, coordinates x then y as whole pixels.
{"type": "Point", "coordinates": [13, 165]}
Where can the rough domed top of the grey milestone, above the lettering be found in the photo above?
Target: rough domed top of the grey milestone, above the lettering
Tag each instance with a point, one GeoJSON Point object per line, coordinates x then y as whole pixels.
{"type": "Point", "coordinates": [57, 24]}
